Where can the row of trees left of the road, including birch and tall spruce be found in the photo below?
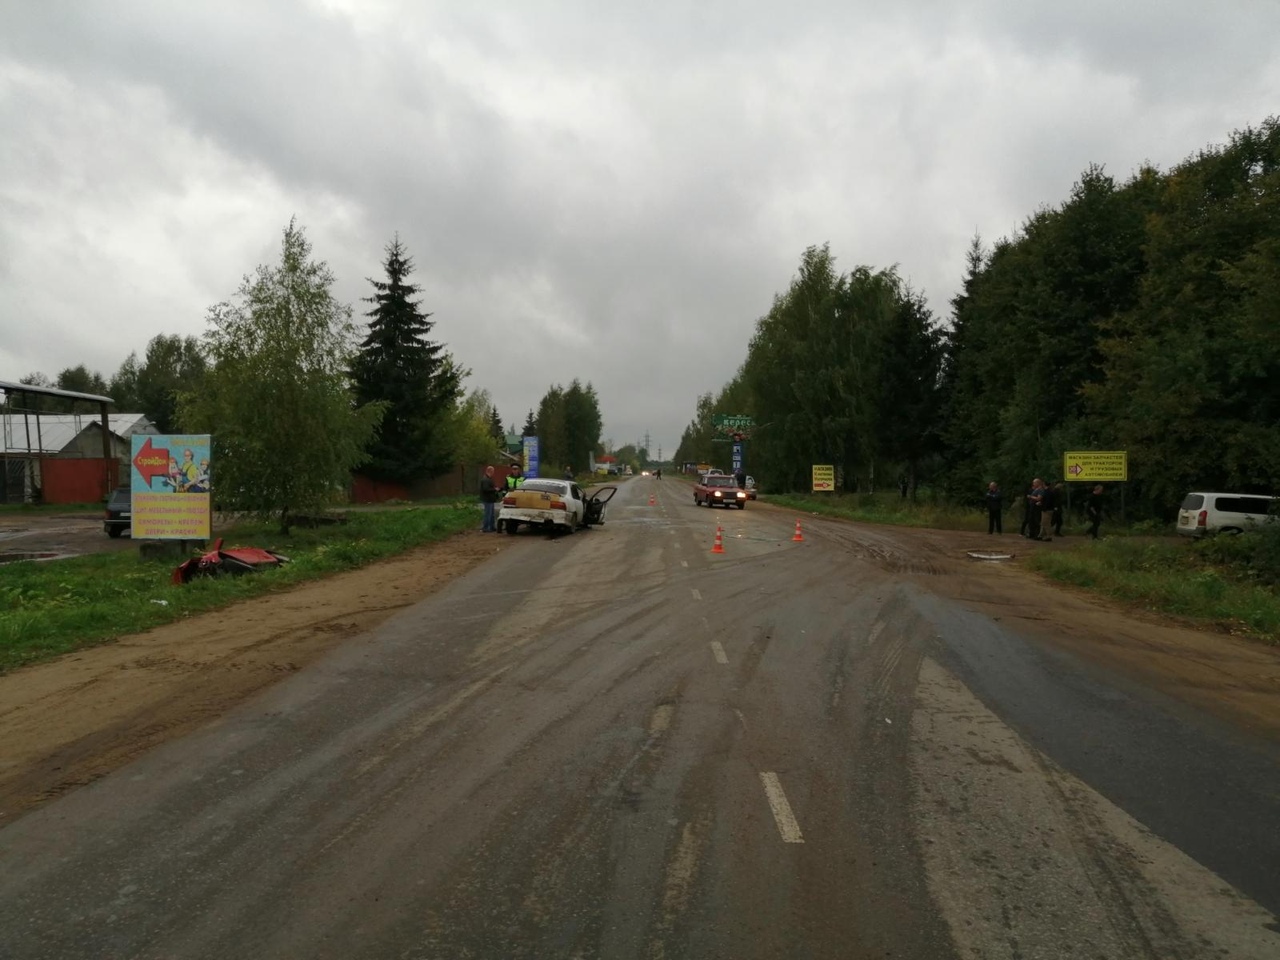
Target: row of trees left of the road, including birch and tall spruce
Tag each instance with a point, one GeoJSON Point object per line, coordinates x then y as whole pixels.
{"type": "Point", "coordinates": [298, 396]}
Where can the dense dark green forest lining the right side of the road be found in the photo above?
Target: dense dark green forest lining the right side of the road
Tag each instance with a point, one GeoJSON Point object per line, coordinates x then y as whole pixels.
{"type": "Point", "coordinates": [1141, 316]}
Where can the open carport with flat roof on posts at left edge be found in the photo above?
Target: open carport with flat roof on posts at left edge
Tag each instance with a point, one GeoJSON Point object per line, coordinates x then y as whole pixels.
{"type": "Point", "coordinates": [22, 450]}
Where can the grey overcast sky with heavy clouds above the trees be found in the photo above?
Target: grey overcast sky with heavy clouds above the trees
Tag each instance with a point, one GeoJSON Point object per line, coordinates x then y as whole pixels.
{"type": "Point", "coordinates": [602, 191]}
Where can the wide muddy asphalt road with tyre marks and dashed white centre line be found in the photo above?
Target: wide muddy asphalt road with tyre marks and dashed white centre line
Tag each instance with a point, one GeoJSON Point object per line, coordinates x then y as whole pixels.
{"type": "Point", "coordinates": [619, 744]}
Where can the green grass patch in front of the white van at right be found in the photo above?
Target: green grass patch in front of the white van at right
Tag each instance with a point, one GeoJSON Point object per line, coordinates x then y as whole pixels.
{"type": "Point", "coordinates": [1171, 577]}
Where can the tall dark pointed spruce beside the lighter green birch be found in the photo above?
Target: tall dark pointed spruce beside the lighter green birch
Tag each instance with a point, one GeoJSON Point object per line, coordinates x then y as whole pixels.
{"type": "Point", "coordinates": [399, 365]}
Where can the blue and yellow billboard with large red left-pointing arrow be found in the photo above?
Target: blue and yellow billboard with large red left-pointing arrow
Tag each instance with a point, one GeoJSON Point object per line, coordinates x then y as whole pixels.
{"type": "Point", "coordinates": [171, 481]}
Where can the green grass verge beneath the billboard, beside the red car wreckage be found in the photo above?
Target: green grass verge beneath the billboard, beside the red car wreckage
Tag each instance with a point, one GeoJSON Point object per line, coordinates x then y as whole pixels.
{"type": "Point", "coordinates": [52, 609]}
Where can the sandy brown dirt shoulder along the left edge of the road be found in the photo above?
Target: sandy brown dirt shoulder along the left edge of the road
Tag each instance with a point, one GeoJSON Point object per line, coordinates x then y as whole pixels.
{"type": "Point", "coordinates": [67, 723]}
